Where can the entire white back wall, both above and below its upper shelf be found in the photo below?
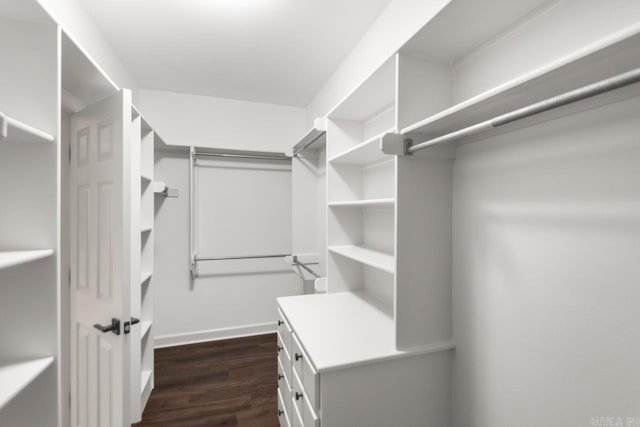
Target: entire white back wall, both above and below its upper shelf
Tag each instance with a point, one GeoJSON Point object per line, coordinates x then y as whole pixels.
{"type": "Point", "coordinates": [245, 208]}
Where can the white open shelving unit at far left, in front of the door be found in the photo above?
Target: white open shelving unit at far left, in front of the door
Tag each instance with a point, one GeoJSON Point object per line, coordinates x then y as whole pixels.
{"type": "Point", "coordinates": [30, 249]}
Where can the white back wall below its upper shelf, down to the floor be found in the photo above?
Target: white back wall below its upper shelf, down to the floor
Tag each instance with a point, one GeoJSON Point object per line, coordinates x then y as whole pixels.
{"type": "Point", "coordinates": [244, 209]}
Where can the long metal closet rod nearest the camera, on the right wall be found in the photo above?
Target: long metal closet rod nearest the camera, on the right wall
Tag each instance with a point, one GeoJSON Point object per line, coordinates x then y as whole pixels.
{"type": "Point", "coordinates": [584, 92]}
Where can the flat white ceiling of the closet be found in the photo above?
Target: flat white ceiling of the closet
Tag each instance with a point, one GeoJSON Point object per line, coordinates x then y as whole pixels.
{"type": "Point", "coordinates": [275, 51]}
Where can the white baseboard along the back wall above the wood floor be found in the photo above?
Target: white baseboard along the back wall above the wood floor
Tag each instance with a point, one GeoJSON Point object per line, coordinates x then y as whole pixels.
{"type": "Point", "coordinates": [214, 335]}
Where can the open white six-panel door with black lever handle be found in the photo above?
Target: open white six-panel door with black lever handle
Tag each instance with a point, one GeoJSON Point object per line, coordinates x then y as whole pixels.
{"type": "Point", "coordinates": [100, 263]}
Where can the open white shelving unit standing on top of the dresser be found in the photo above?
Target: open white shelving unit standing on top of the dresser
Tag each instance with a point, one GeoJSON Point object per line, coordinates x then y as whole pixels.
{"type": "Point", "coordinates": [361, 192]}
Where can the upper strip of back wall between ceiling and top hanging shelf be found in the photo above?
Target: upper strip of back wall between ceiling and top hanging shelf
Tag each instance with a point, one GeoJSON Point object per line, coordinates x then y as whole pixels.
{"type": "Point", "coordinates": [183, 119]}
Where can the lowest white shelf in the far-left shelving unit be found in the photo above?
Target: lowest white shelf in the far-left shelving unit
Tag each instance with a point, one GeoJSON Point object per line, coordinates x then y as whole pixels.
{"type": "Point", "coordinates": [17, 376]}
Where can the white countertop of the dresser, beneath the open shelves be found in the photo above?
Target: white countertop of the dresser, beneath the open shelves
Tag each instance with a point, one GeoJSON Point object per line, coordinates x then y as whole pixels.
{"type": "Point", "coordinates": [328, 323]}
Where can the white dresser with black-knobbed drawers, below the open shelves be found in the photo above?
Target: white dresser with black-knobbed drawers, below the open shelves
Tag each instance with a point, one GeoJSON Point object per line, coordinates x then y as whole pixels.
{"type": "Point", "coordinates": [338, 367]}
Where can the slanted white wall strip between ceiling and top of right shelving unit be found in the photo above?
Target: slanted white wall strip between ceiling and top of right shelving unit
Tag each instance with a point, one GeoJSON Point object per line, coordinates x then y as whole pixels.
{"type": "Point", "coordinates": [400, 21]}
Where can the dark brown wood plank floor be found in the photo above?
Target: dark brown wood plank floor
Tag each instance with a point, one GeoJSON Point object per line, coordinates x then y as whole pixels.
{"type": "Point", "coordinates": [222, 383]}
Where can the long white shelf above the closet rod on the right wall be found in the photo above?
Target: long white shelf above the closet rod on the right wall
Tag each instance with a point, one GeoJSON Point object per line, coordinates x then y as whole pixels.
{"type": "Point", "coordinates": [608, 57]}
